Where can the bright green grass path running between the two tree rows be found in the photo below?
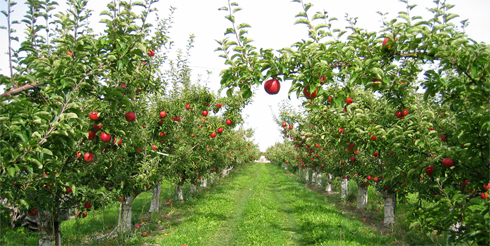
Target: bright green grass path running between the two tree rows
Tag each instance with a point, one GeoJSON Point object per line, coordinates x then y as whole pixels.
{"type": "Point", "coordinates": [262, 205]}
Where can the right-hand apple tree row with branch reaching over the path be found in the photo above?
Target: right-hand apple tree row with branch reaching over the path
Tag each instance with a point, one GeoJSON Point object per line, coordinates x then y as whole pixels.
{"type": "Point", "coordinates": [404, 109]}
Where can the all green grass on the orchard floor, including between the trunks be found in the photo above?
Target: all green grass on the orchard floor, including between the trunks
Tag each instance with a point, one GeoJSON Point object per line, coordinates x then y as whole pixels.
{"type": "Point", "coordinates": [257, 205]}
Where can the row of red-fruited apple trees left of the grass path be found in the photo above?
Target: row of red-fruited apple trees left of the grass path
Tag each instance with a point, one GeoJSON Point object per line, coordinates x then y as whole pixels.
{"type": "Point", "coordinates": [91, 119]}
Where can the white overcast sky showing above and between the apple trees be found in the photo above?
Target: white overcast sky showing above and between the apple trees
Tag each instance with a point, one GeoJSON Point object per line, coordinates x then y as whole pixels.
{"type": "Point", "coordinates": [272, 27]}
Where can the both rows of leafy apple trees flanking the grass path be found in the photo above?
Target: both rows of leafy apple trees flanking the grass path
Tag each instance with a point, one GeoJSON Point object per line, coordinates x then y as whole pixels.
{"type": "Point", "coordinates": [93, 119]}
